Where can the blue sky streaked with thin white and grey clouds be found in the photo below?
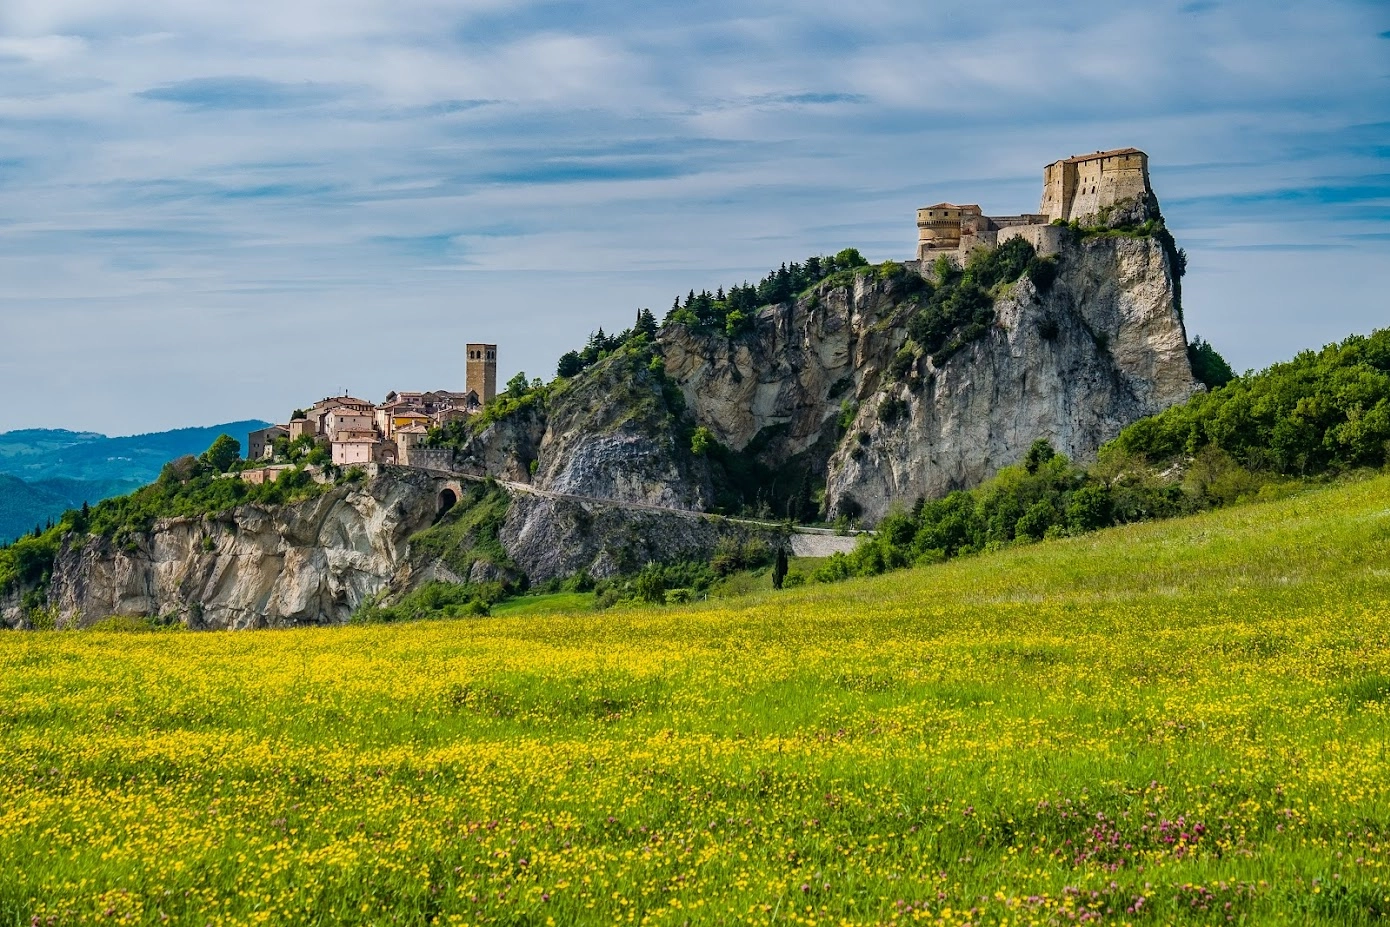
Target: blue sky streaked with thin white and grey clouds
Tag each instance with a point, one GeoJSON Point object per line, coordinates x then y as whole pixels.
{"type": "Point", "coordinates": [220, 211]}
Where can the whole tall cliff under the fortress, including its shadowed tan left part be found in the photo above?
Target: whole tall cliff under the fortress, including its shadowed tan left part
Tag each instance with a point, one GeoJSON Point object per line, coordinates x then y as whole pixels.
{"type": "Point", "coordinates": [833, 384]}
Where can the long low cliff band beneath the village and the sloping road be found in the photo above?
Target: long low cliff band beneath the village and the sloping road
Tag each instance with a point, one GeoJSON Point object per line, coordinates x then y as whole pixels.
{"type": "Point", "coordinates": [318, 561]}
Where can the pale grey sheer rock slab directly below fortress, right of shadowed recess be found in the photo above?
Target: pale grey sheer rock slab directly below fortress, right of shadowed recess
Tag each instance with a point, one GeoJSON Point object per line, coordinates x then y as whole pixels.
{"type": "Point", "coordinates": [1103, 348]}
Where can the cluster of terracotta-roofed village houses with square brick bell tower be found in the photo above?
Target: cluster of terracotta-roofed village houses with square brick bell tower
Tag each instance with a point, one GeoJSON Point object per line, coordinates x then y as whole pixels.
{"type": "Point", "coordinates": [391, 433]}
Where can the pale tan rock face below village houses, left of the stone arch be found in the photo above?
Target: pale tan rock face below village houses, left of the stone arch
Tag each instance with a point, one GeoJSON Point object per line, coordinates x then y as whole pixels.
{"type": "Point", "coordinates": [306, 564]}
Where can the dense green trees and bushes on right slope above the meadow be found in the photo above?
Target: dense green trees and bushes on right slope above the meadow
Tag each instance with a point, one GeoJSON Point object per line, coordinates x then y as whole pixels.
{"type": "Point", "coordinates": [1259, 437]}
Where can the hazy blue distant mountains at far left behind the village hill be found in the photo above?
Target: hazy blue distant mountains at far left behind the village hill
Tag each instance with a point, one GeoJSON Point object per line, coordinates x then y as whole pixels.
{"type": "Point", "coordinates": [45, 472]}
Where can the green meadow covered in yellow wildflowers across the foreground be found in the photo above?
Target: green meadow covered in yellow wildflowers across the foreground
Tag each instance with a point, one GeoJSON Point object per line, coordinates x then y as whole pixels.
{"type": "Point", "coordinates": [1184, 722]}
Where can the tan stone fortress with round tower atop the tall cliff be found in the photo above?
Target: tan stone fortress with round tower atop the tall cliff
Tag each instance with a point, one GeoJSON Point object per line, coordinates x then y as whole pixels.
{"type": "Point", "coordinates": [1074, 190]}
